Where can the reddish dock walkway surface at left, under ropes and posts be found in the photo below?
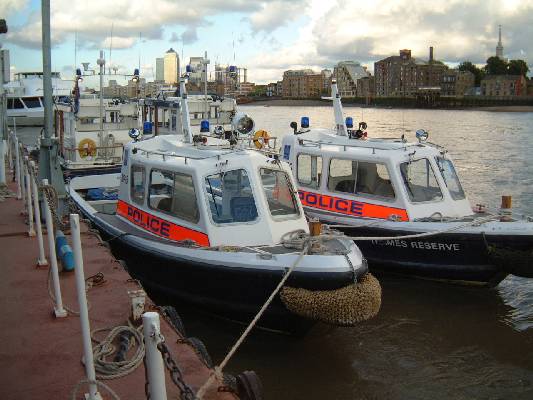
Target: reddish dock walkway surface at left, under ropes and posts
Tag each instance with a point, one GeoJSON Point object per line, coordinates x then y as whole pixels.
{"type": "Point", "coordinates": [40, 356]}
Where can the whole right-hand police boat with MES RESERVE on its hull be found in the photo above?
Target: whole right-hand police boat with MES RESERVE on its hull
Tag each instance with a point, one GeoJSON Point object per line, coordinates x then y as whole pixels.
{"type": "Point", "coordinates": [403, 204]}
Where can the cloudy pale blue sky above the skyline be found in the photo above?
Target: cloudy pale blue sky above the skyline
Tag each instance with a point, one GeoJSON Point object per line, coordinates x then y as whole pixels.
{"type": "Point", "coordinates": [267, 37]}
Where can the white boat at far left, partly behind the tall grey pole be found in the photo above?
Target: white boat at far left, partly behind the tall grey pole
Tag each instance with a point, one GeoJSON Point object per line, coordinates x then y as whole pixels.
{"type": "Point", "coordinates": [25, 97]}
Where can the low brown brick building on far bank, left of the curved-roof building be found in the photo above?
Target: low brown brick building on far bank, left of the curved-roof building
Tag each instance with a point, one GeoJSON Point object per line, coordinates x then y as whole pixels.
{"type": "Point", "coordinates": [301, 84]}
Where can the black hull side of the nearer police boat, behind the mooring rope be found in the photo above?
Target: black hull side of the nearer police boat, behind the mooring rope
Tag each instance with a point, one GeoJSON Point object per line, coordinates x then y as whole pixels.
{"type": "Point", "coordinates": [233, 293]}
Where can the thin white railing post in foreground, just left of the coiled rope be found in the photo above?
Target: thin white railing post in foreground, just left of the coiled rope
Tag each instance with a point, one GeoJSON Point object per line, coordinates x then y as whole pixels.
{"type": "Point", "coordinates": [84, 312]}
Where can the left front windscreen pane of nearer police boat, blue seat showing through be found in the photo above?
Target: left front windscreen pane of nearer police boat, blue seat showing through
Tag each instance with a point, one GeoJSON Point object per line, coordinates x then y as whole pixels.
{"type": "Point", "coordinates": [230, 197]}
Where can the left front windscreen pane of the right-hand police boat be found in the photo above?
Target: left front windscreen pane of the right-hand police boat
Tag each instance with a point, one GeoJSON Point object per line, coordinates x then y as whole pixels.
{"type": "Point", "coordinates": [420, 181]}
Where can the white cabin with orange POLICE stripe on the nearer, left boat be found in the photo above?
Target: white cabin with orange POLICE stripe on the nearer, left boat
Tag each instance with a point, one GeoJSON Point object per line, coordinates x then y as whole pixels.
{"type": "Point", "coordinates": [209, 193]}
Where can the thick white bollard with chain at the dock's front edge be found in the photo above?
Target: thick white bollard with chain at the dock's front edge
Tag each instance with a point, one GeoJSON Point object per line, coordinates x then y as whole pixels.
{"type": "Point", "coordinates": [154, 360]}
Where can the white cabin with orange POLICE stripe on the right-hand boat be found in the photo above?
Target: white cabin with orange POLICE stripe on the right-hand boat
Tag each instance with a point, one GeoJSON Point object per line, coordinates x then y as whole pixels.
{"type": "Point", "coordinates": [373, 178]}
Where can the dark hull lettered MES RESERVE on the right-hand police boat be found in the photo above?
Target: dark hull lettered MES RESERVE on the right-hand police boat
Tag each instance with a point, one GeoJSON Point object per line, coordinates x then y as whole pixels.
{"type": "Point", "coordinates": [454, 257]}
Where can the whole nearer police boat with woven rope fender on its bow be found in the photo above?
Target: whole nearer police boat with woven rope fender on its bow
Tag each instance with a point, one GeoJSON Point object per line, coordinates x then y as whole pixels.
{"type": "Point", "coordinates": [217, 225]}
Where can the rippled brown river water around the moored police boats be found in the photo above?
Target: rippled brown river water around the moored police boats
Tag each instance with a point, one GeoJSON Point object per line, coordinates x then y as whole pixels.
{"type": "Point", "coordinates": [430, 340]}
